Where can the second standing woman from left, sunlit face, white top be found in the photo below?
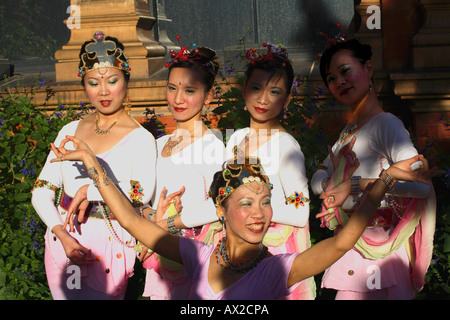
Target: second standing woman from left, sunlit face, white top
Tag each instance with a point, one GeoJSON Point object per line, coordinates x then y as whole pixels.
{"type": "Point", "coordinates": [187, 159]}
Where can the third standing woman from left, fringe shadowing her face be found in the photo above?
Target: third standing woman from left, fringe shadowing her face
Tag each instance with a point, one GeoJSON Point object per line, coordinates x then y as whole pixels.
{"type": "Point", "coordinates": [267, 94]}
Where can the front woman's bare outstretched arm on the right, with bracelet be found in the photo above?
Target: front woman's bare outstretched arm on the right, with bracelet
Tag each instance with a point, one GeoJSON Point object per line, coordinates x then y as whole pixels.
{"type": "Point", "coordinates": [322, 255]}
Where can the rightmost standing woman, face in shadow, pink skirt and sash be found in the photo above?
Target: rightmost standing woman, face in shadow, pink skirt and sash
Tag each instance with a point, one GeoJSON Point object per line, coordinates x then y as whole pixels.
{"type": "Point", "coordinates": [397, 245]}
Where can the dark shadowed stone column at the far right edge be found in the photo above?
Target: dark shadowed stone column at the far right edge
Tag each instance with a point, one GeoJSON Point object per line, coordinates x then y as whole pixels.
{"type": "Point", "coordinates": [427, 85]}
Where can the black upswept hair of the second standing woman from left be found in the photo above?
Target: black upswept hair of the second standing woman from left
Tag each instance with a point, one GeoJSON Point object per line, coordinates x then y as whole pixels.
{"type": "Point", "coordinates": [205, 64]}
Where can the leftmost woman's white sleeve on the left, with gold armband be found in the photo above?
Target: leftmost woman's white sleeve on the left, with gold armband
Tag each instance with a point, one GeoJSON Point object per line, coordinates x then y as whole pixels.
{"type": "Point", "coordinates": [49, 180]}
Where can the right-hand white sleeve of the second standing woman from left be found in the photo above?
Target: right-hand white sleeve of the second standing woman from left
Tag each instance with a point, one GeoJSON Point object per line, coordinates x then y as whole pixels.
{"type": "Point", "coordinates": [205, 212]}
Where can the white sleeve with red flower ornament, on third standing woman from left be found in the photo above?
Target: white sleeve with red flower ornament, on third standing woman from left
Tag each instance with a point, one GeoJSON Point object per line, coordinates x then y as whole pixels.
{"type": "Point", "coordinates": [292, 174]}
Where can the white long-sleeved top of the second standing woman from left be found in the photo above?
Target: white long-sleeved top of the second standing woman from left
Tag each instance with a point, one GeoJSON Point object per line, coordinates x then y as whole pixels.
{"type": "Point", "coordinates": [194, 168]}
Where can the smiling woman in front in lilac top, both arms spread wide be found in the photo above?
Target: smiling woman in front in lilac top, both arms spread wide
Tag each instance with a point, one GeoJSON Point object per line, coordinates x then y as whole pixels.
{"type": "Point", "coordinates": [240, 265]}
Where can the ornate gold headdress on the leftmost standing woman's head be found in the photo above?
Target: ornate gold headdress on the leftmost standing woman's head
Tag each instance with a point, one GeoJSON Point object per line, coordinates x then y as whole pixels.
{"type": "Point", "coordinates": [102, 53]}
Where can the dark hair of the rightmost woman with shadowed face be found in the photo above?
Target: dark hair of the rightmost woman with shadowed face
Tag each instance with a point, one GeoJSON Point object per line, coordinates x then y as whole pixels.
{"type": "Point", "coordinates": [362, 52]}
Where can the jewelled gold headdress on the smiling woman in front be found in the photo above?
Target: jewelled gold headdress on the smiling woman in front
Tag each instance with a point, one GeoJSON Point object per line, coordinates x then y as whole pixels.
{"type": "Point", "coordinates": [242, 171]}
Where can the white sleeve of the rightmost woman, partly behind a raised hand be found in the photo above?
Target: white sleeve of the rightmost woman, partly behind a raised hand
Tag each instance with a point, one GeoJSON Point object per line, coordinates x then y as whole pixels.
{"type": "Point", "coordinates": [391, 139]}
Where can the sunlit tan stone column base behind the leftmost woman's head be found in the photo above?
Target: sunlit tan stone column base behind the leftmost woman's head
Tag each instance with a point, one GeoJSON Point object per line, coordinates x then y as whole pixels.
{"type": "Point", "coordinates": [128, 20]}
